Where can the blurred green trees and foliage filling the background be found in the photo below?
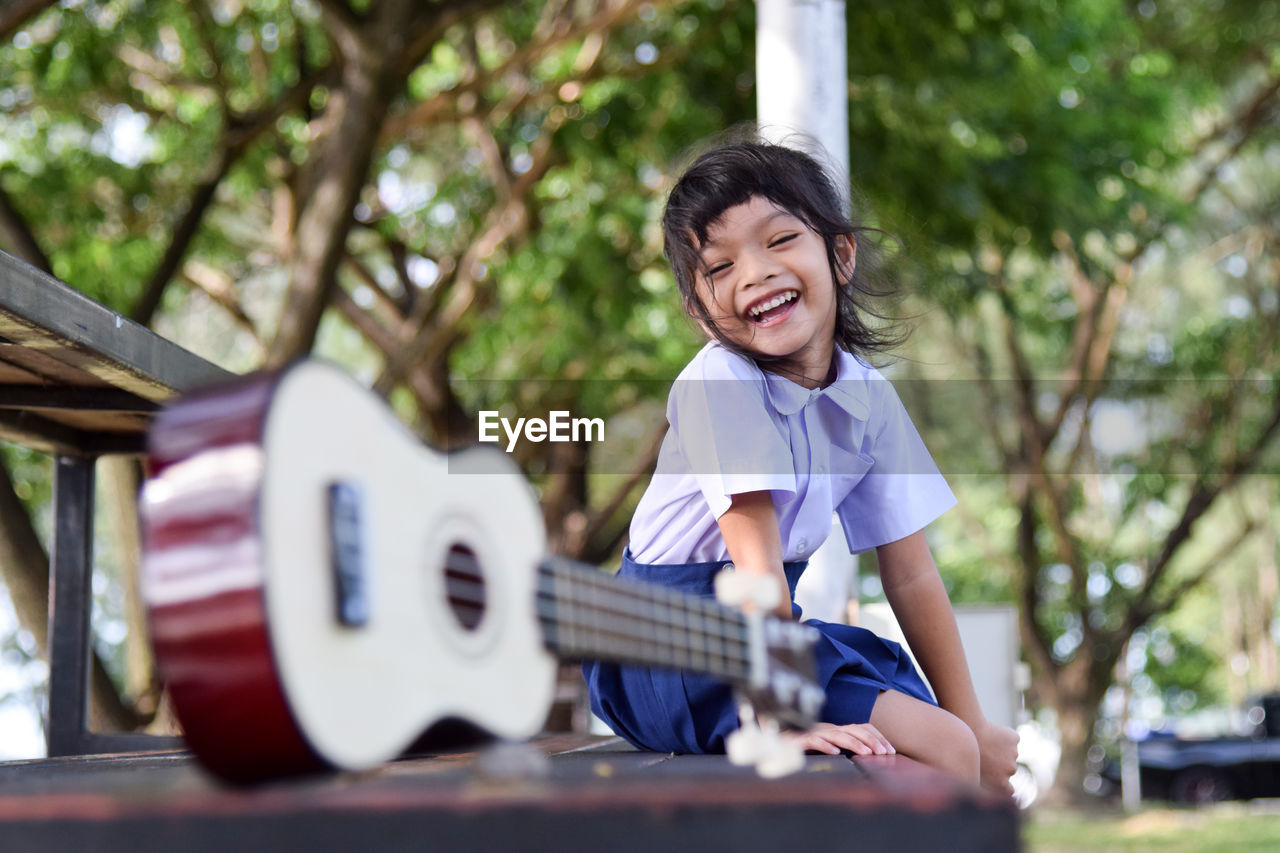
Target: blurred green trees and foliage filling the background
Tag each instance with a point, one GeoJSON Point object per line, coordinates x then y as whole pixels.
{"type": "Point", "coordinates": [459, 202]}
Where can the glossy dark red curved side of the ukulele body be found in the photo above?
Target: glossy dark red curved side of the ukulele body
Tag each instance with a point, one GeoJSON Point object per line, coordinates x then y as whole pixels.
{"type": "Point", "coordinates": [213, 641]}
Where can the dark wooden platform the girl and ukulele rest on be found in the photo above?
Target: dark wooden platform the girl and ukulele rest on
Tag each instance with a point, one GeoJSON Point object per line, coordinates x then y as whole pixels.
{"type": "Point", "coordinates": [564, 793]}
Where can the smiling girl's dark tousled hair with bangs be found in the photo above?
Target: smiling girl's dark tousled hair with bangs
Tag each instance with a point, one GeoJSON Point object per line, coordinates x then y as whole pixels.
{"type": "Point", "coordinates": [735, 172]}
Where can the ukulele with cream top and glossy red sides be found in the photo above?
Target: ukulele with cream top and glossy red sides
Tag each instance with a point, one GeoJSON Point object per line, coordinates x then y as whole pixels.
{"type": "Point", "coordinates": [323, 590]}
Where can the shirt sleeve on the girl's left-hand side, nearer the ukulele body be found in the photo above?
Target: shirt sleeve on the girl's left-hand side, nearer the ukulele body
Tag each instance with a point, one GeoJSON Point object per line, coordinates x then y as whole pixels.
{"type": "Point", "coordinates": [726, 430]}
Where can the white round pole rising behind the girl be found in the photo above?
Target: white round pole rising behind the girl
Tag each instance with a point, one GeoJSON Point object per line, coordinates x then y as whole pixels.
{"type": "Point", "coordinates": [802, 97]}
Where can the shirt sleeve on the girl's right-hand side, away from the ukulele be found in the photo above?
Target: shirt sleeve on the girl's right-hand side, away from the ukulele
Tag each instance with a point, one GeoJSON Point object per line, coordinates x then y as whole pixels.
{"type": "Point", "coordinates": [903, 491]}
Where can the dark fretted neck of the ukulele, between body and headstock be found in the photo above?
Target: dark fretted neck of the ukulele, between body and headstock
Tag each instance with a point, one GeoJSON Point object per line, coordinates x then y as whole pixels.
{"type": "Point", "coordinates": [588, 615]}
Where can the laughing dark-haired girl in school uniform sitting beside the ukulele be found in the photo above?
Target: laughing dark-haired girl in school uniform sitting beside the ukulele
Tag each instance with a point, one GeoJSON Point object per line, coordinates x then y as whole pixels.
{"type": "Point", "coordinates": [774, 426]}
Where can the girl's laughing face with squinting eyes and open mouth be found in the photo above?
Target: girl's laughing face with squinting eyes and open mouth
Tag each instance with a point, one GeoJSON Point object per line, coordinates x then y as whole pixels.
{"type": "Point", "coordinates": [771, 289]}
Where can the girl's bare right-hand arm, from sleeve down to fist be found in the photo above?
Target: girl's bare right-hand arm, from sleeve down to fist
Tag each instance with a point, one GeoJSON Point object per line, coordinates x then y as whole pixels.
{"type": "Point", "coordinates": [921, 604]}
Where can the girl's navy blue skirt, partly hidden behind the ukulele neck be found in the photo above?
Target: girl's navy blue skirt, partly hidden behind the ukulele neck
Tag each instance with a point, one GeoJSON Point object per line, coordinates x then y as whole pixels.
{"type": "Point", "coordinates": [673, 711]}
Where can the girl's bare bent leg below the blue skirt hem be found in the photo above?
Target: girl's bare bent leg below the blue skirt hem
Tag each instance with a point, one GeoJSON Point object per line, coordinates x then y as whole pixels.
{"type": "Point", "coordinates": [929, 735]}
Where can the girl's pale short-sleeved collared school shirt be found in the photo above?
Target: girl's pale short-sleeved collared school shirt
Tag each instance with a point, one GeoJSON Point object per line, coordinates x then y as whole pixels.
{"type": "Point", "coordinates": [849, 448]}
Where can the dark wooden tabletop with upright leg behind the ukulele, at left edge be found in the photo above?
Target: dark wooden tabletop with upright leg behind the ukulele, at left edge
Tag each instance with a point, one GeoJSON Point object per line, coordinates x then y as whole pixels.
{"type": "Point", "coordinates": [79, 381]}
